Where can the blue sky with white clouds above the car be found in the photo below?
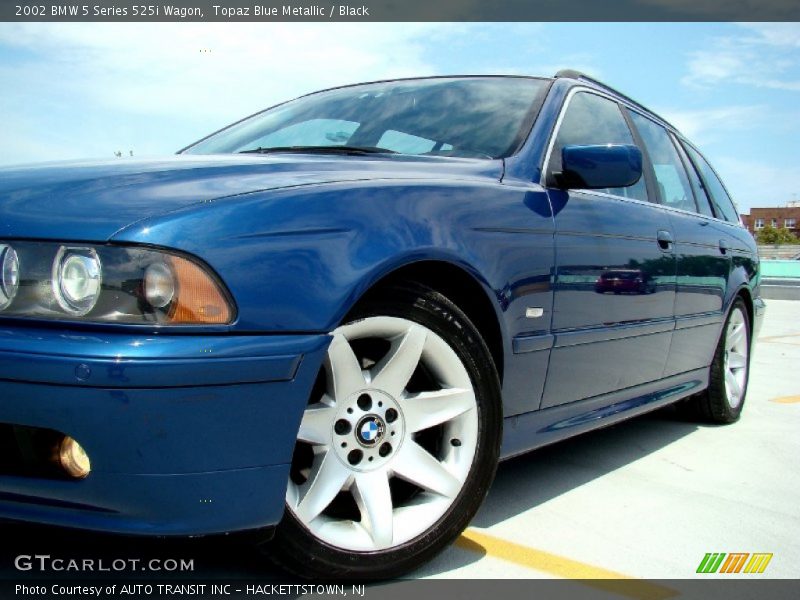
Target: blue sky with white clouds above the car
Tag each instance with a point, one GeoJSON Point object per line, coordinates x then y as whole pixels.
{"type": "Point", "coordinates": [87, 90]}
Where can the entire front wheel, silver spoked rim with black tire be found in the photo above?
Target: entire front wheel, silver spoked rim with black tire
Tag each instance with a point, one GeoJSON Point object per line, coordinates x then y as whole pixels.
{"type": "Point", "coordinates": [398, 443]}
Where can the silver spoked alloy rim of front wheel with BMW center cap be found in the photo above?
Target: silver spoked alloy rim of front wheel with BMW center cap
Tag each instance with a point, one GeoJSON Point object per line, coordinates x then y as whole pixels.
{"type": "Point", "coordinates": [392, 439]}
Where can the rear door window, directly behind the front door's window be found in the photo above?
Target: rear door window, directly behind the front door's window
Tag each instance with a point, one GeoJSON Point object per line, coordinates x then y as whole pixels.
{"type": "Point", "coordinates": [673, 183]}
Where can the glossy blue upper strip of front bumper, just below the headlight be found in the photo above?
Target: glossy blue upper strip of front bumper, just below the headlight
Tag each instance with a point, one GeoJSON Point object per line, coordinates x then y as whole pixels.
{"type": "Point", "coordinates": [150, 361]}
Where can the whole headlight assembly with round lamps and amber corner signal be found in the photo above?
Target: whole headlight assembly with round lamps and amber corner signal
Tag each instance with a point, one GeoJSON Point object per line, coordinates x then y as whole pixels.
{"type": "Point", "coordinates": [110, 284]}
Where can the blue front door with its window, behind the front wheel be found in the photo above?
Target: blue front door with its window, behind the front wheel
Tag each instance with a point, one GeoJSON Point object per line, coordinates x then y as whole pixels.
{"type": "Point", "coordinates": [614, 280]}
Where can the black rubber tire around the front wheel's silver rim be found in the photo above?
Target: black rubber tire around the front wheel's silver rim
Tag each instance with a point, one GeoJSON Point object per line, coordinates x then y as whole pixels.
{"type": "Point", "coordinates": [296, 549]}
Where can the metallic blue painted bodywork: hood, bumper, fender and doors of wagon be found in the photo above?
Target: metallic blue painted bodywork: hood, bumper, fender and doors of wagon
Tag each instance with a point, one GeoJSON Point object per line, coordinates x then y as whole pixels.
{"type": "Point", "coordinates": [192, 432]}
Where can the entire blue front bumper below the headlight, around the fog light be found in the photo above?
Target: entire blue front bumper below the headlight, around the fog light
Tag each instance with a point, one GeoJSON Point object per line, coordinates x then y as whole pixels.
{"type": "Point", "coordinates": [187, 434]}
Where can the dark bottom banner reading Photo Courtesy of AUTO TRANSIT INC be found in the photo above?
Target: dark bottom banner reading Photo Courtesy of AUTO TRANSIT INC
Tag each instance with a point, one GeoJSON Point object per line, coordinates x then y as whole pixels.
{"type": "Point", "coordinates": [513, 589]}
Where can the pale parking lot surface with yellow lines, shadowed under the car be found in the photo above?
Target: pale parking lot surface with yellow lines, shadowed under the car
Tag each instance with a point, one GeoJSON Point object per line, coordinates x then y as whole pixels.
{"type": "Point", "coordinates": [647, 498]}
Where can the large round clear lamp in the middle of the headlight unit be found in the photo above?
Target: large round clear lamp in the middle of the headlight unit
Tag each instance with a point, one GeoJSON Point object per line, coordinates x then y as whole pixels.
{"type": "Point", "coordinates": [77, 275]}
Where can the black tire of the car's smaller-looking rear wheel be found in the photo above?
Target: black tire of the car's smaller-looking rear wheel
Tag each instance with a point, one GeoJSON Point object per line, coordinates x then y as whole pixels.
{"type": "Point", "coordinates": [712, 405]}
